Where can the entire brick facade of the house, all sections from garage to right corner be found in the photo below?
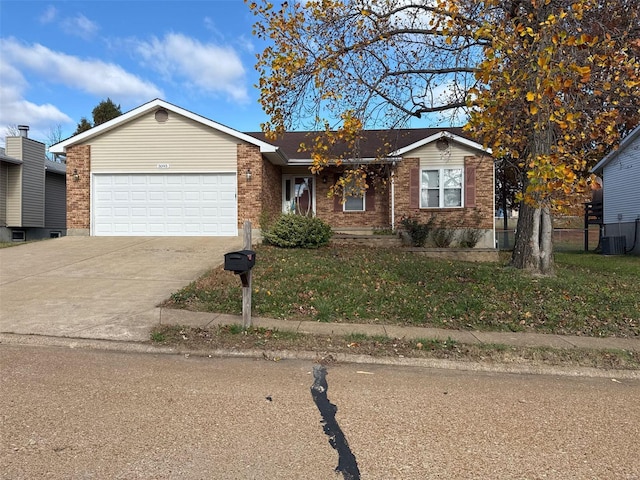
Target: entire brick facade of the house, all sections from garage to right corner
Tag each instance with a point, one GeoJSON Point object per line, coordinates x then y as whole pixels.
{"type": "Point", "coordinates": [263, 195]}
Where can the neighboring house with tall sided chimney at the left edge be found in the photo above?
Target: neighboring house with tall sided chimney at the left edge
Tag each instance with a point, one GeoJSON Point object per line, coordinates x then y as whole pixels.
{"type": "Point", "coordinates": [32, 191]}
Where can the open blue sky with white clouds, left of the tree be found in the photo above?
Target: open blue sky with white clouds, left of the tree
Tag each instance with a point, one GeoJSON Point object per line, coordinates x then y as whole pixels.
{"type": "Point", "coordinates": [59, 59]}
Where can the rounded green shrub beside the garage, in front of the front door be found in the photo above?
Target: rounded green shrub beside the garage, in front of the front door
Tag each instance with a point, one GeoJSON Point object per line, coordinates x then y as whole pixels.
{"type": "Point", "coordinates": [297, 231]}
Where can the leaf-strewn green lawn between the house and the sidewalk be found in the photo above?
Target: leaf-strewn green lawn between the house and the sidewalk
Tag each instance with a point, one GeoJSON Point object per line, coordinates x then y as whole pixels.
{"type": "Point", "coordinates": [590, 294]}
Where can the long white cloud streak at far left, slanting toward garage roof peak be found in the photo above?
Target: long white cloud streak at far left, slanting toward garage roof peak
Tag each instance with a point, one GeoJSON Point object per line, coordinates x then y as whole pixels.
{"type": "Point", "coordinates": [92, 76]}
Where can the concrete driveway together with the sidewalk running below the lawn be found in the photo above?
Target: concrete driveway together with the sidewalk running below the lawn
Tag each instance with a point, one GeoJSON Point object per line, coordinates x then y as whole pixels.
{"type": "Point", "coordinates": [109, 288]}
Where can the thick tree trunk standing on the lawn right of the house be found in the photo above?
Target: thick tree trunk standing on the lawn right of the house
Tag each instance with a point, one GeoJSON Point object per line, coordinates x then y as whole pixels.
{"type": "Point", "coordinates": [534, 241]}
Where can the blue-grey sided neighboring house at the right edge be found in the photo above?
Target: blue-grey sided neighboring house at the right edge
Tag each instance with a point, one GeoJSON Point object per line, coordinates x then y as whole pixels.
{"type": "Point", "coordinates": [620, 173]}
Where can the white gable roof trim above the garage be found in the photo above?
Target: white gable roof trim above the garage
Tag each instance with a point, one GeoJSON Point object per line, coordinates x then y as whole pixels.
{"type": "Point", "coordinates": [269, 150]}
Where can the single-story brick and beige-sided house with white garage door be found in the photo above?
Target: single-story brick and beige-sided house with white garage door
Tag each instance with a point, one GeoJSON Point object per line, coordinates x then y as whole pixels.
{"type": "Point", "coordinates": [163, 170]}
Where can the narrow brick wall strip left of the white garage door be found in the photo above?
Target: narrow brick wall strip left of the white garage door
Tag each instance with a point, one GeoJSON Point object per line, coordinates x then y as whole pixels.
{"type": "Point", "coordinates": [79, 191]}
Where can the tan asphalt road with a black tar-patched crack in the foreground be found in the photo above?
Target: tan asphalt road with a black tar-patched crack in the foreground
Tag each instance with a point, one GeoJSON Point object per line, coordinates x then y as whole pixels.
{"type": "Point", "coordinates": [86, 414]}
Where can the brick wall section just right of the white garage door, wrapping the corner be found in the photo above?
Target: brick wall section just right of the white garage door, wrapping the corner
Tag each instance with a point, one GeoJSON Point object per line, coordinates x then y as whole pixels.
{"type": "Point", "coordinates": [261, 194]}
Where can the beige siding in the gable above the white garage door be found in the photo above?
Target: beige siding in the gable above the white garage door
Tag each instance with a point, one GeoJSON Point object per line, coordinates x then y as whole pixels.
{"type": "Point", "coordinates": [178, 145]}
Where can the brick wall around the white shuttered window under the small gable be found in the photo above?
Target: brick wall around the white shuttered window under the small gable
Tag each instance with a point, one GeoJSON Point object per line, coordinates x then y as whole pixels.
{"type": "Point", "coordinates": [480, 216]}
